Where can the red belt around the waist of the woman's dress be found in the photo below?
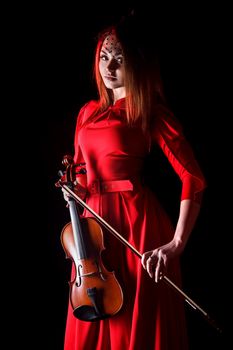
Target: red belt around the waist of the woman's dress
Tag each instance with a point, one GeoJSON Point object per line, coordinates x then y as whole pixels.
{"type": "Point", "coordinates": [99, 186]}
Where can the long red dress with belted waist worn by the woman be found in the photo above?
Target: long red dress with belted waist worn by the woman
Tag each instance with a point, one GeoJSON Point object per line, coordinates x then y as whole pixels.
{"type": "Point", "coordinates": [152, 316]}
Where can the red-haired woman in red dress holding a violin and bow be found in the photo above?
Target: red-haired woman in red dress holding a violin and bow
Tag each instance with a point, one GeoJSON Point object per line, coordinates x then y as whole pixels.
{"type": "Point", "coordinates": [113, 137]}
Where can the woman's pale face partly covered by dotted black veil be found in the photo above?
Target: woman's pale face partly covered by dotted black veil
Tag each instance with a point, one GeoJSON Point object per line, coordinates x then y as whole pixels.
{"type": "Point", "coordinates": [111, 65]}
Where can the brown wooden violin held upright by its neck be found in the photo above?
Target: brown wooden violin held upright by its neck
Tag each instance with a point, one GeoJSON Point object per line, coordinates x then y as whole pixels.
{"type": "Point", "coordinates": [94, 292]}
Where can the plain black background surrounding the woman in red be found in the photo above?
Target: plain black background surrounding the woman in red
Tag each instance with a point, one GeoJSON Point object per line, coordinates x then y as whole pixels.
{"type": "Point", "coordinates": [50, 54]}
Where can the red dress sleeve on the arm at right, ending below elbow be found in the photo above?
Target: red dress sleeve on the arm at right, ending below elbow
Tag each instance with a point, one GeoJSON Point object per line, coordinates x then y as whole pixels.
{"type": "Point", "coordinates": [168, 133]}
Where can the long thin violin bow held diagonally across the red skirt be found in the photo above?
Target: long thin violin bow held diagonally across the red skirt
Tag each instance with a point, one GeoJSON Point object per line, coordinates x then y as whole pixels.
{"type": "Point", "coordinates": [194, 305]}
